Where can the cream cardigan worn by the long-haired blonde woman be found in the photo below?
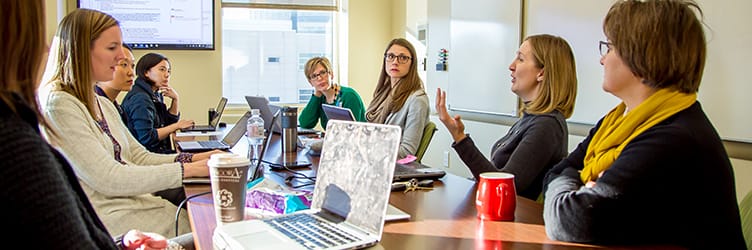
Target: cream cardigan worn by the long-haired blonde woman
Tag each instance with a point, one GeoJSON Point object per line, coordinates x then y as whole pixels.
{"type": "Point", "coordinates": [121, 194]}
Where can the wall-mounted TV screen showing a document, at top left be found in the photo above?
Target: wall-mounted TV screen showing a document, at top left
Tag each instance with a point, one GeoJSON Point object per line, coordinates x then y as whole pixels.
{"type": "Point", "coordinates": [161, 24]}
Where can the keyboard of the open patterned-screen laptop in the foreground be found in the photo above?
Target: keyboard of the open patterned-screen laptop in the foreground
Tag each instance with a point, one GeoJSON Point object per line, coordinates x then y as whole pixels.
{"type": "Point", "coordinates": [310, 231]}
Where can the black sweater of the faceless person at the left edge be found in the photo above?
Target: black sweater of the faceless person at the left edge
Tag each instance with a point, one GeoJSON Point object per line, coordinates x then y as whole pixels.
{"type": "Point", "coordinates": [44, 206]}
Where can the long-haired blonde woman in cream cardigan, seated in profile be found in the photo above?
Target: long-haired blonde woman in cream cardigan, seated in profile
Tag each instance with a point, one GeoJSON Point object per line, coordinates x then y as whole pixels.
{"type": "Point", "coordinates": [115, 171]}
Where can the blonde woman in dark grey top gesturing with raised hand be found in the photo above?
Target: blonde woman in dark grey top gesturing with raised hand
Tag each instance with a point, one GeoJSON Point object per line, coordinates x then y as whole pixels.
{"type": "Point", "coordinates": [544, 77]}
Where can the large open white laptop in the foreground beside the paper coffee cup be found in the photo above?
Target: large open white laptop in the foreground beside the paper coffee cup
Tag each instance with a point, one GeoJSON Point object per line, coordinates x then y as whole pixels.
{"type": "Point", "coordinates": [349, 200]}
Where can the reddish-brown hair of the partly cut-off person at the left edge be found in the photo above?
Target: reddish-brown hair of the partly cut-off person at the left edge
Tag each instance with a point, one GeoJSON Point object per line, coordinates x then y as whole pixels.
{"type": "Point", "coordinates": [23, 36]}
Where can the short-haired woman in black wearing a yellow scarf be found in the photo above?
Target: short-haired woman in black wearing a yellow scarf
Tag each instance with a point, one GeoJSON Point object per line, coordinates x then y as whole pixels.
{"type": "Point", "coordinates": [653, 170]}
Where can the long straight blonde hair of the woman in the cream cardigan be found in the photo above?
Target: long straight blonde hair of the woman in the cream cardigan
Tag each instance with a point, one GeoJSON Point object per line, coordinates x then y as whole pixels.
{"type": "Point", "coordinates": [76, 34]}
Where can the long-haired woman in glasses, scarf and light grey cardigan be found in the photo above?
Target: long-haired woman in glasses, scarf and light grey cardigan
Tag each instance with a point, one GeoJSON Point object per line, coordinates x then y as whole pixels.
{"type": "Point", "coordinates": [399, 98]}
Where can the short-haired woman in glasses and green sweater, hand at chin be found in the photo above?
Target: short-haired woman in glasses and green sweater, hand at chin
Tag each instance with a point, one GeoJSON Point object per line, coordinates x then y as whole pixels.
{"type": "Point", "coordinates": [318, 71]}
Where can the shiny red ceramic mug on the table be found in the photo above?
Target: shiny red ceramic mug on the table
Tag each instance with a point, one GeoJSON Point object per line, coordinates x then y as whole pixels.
{"type": "Point", "coordinates": [496, 197]}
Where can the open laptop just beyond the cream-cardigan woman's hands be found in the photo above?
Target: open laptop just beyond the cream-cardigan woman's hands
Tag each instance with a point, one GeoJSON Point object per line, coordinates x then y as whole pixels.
{"type": "Point", "coordinates": [229, 140]}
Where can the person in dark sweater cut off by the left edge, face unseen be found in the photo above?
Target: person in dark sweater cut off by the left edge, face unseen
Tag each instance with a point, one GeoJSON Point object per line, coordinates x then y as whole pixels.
{"type": "Point", "coordinates": [45, 207]}
